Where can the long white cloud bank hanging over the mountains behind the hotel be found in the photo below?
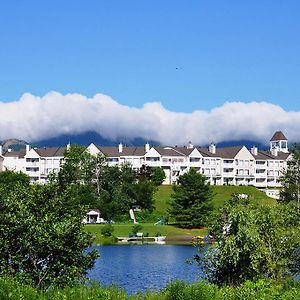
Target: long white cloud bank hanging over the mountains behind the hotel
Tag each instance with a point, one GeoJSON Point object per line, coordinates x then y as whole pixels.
{"type": "Point", "coordinates": [35, 118]}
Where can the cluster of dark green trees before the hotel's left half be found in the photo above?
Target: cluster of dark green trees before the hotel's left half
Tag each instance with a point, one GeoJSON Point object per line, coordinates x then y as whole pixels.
{"type": "Point", "coordinates": [115, 189]}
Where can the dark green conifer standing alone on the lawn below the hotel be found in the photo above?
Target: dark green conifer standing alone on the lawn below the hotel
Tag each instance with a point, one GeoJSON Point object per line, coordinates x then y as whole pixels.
{"type": "Point", "coordinates": [190, 204]}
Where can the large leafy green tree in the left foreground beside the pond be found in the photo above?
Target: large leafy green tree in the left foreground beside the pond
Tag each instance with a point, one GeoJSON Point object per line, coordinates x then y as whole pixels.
{"type": "Point", "coordinates": [42, 238]}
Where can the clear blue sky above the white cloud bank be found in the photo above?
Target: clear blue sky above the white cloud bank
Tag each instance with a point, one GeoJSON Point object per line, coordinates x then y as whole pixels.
{"type": "Point", "coordinates": [188, 55]}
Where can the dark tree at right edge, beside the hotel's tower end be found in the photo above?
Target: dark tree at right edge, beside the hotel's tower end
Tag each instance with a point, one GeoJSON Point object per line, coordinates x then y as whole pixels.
{"type": "Point", "coordinates": [291, 180]}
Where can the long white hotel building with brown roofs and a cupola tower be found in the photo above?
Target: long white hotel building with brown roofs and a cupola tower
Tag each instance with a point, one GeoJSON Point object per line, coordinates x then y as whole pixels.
{"type": "Point", "coordinates": [222, 166]}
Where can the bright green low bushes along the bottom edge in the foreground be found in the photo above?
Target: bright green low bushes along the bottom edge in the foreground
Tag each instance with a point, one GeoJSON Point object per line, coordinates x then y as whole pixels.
{"type": "Point", "coordinates": [262, 289]}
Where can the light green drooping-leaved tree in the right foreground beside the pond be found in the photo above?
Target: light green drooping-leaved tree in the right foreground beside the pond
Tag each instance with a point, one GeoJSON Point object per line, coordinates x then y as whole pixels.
{"type": "Point", "coordinates": [253, 242]}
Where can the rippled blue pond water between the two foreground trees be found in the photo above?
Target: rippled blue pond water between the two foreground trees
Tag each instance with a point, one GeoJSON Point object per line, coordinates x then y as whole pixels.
{"type": "Point", "coordinates": [144, 267]}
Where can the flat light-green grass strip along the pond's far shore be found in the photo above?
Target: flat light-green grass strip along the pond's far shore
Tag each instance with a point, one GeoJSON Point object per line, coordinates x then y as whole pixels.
{"type": "Point", "coordinates": [151, 229]}
